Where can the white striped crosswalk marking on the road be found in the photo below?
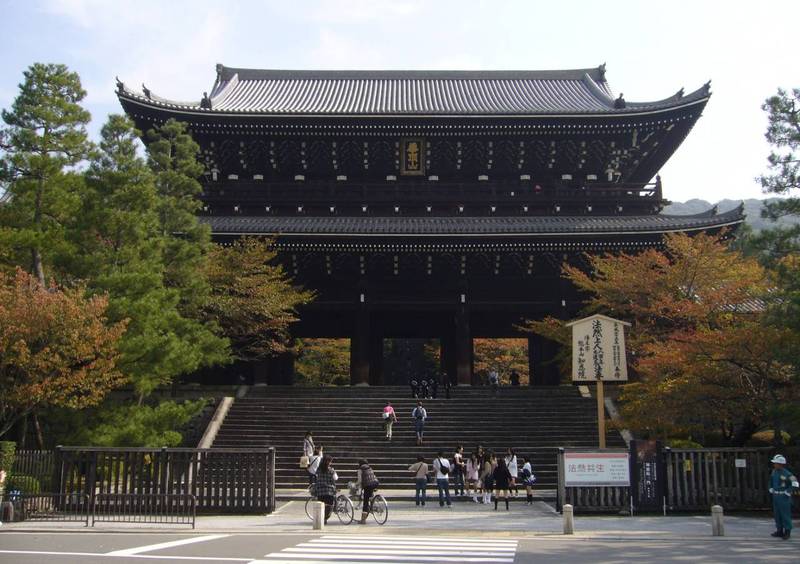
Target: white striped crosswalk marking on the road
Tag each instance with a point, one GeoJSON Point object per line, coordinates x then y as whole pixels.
{"type": "Point", "coordinates": [393, 550]}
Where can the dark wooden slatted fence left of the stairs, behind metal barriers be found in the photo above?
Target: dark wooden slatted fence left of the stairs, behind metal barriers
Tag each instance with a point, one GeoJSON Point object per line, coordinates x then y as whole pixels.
{"type": "Point", "coordinates": [222, 480]}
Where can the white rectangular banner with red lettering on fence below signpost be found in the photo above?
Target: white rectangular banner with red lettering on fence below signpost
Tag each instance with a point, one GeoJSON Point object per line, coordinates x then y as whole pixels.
{"type": "Point", "coordinates": [586, 469]}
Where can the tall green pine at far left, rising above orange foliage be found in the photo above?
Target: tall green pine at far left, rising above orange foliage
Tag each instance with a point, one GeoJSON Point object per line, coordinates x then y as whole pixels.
{"type": "Point", "coordinates": [44, 136]}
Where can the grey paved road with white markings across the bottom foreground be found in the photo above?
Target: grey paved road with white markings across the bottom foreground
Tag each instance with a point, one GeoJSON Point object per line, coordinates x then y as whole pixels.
{"type": "Point", "coordinates": [373, 547]}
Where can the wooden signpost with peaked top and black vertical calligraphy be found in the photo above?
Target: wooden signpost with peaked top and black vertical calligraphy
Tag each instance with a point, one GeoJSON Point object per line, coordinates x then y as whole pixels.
{"type": "Point", "coordinates": [598, 355]}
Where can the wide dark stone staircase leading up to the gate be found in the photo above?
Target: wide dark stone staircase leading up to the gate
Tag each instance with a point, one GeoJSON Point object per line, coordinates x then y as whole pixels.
{"type": "Point", "coordinates": [535, 421]}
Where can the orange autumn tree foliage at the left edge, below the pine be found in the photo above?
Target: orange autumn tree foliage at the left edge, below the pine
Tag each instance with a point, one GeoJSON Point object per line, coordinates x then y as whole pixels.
{"type": "Point", "coordinates": [56, 348]}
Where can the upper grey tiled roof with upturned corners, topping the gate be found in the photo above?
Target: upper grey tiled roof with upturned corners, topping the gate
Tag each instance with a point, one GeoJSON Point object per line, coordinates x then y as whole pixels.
{"type": "Point", "coordinates": [280, 92]}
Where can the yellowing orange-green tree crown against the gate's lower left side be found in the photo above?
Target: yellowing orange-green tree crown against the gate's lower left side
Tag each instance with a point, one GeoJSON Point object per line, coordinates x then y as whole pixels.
{"type": "Point", "coordinates": [252, 298]}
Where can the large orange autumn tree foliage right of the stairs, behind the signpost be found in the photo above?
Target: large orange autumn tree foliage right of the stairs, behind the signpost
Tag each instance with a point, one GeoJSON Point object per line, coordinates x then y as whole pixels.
{"type": "Point", "coordinates": [701, 351]}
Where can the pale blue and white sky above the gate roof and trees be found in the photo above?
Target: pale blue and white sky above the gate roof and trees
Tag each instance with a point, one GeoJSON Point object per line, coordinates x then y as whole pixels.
{"type": "Point", "coordinates": [651, 49]}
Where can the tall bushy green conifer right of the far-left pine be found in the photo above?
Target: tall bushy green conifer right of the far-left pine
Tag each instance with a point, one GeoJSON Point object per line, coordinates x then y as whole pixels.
{"type": "Point", "coordinates": [124, 252]}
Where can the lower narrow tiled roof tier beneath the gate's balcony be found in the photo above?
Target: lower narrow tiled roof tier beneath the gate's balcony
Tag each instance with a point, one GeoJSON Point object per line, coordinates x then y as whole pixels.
{"type": "Point", "coordinates": [467, 226]}
